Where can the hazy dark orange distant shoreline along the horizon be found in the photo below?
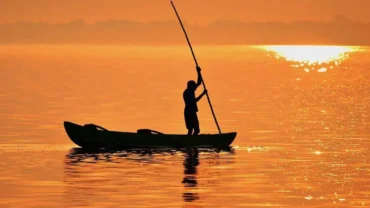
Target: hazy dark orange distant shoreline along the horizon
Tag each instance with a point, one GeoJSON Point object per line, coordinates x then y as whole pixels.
{"type": "Point", "coordinates": [339, 31]}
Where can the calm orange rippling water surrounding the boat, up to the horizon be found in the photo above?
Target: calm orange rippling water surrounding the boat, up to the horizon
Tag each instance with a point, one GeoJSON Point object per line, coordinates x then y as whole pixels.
{"type": "Point", "coordinates": [301, 113]}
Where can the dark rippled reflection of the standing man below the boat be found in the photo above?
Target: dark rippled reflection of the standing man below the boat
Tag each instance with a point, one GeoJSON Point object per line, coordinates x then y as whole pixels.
{"type": "Point", "coordinates": [190, 170]}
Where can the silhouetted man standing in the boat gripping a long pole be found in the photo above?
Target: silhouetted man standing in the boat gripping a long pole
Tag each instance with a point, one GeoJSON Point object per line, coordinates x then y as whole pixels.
{"type": "Point", "coordinates": [191, 108]}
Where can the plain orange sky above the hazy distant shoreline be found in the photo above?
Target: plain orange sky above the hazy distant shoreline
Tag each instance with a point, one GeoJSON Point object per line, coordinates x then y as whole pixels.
{"type": "Point", "coordinates": [194, 11]}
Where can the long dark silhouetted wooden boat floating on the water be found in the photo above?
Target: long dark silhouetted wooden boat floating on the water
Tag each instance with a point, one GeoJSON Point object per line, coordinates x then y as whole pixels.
{"type": "Point", "coordinates": [91, 136]}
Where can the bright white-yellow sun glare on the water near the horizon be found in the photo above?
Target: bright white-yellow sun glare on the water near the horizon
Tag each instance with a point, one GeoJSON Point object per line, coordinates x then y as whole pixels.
{"type": "Point", "coordinates": [311, 58]}
